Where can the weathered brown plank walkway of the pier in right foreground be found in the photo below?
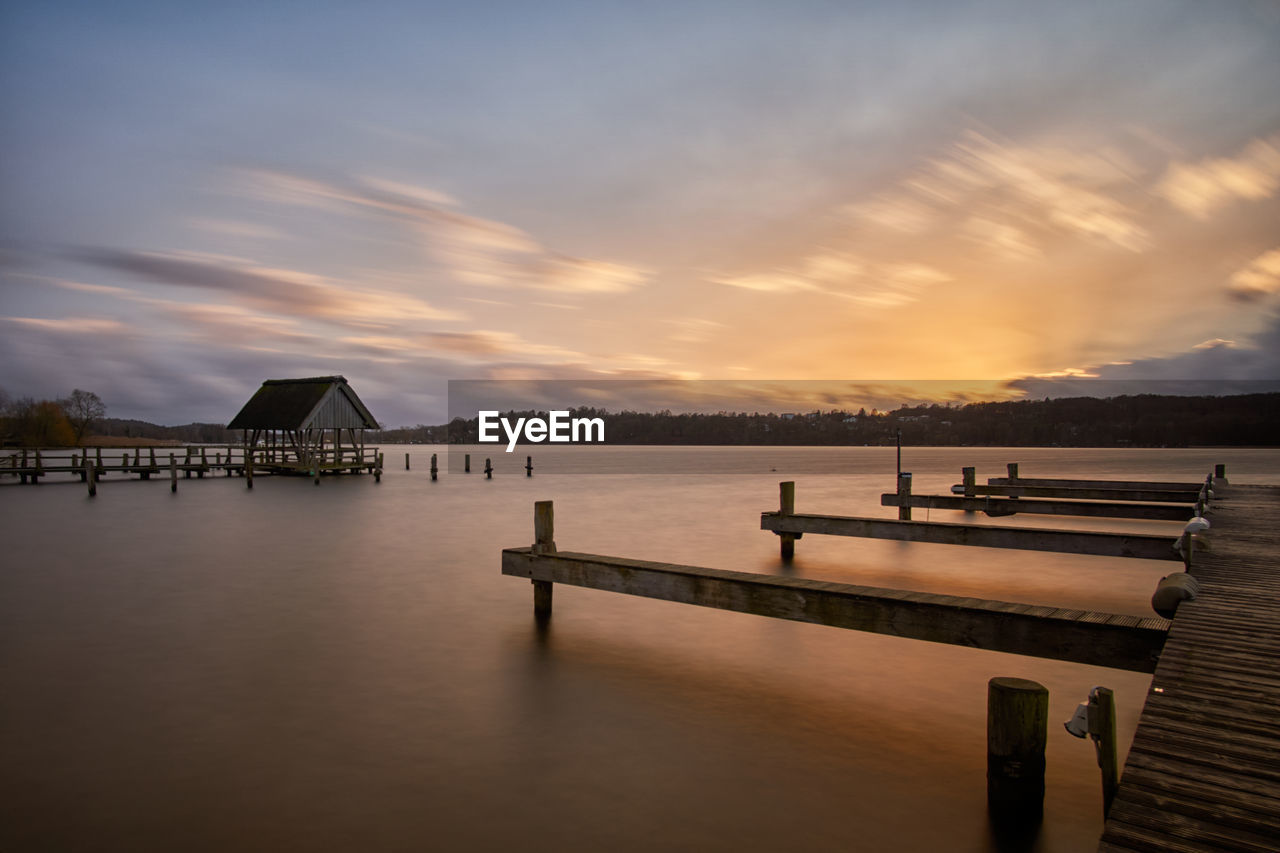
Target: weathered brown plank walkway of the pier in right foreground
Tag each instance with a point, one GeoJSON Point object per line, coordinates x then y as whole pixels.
{"type": "Point", "coordinates": [1204, 773]}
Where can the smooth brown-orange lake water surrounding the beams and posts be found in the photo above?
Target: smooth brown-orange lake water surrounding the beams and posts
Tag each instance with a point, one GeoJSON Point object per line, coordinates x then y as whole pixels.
{"type": "Point", "coordinates": [345, 668]}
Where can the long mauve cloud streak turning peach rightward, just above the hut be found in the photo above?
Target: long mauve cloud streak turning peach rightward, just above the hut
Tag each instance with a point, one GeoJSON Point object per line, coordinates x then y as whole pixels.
{"type": "Point", "coordinates": [281, 291]}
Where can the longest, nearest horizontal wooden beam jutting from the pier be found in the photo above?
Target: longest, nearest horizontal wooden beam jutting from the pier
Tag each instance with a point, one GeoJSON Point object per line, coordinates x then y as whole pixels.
{"type": "Point", "coordinates": [1091, 638]}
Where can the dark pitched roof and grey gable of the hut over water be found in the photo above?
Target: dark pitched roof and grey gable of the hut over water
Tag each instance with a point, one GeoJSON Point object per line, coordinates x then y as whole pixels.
{"type": "Point", "coordinates": [317, 403]}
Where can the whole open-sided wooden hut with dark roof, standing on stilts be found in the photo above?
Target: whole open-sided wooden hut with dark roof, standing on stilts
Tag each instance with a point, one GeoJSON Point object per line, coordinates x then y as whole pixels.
{"type": "Point", "coordinates": [304, 423]}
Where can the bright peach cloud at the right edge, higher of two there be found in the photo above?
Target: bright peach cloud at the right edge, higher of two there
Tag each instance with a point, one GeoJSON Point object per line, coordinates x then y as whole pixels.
{"type": "Point", "coordinates": [1200, 189]}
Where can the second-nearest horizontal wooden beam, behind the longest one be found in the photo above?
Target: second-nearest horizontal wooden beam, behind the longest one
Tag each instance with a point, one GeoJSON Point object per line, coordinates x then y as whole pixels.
{"type": "Point", "coordinates": [1087, 542]}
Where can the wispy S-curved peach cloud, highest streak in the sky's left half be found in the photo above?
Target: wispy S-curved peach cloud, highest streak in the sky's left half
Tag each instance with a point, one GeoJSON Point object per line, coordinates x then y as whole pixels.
{"type": "Point", "coordinates": [474, 250]}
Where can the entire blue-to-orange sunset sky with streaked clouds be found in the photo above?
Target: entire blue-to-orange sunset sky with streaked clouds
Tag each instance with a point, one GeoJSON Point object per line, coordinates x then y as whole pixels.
{"type": "Point", "coordinates": [196, 198]}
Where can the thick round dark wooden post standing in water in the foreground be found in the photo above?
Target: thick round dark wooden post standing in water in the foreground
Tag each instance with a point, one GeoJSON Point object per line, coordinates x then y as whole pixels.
{"type": "Point", "coordinates": [1017, 732]}
